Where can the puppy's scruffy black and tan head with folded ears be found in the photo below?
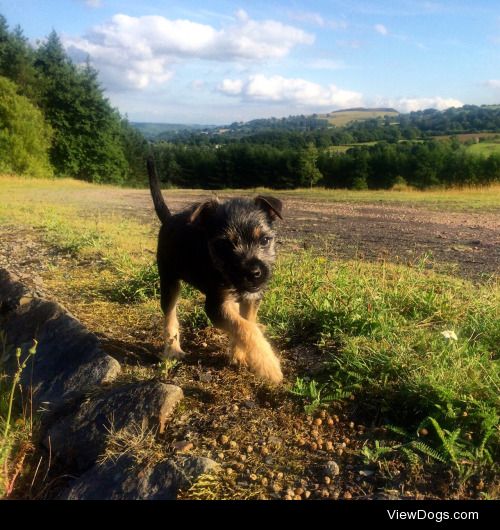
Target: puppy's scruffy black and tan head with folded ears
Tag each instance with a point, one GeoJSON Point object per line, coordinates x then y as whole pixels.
{"type": "Point", "coordinates": [241, 238]}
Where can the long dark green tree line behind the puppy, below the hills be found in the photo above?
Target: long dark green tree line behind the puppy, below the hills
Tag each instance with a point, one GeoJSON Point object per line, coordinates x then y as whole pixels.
{"type": "Point", "coordinates": [381, 166]}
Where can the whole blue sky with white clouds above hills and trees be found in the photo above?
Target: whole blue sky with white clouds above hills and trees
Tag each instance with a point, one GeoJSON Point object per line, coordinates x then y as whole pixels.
{"type": "Point", "coordinates": [220, 61]}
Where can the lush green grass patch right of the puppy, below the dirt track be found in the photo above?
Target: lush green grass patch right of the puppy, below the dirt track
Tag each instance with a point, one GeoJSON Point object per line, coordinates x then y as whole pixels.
{"type": "Point", "coordinates": [380, 328]}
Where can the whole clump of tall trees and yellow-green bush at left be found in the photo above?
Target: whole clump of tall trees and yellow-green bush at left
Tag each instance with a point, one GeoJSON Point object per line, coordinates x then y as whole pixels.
{"type": "Point", "coordinates": [55, 119]}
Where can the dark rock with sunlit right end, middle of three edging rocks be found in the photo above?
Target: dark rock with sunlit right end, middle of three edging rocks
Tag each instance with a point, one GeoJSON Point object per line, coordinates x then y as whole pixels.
{"type": "Point", "coordinates": [79, 438]}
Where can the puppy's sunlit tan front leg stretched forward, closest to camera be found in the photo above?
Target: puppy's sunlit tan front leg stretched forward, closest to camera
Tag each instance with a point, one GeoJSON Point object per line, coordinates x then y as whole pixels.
{"type": "Point", "coordinates": [249, 347]}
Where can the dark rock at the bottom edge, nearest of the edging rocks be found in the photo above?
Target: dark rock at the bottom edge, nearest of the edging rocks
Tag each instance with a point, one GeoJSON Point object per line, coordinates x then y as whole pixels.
{"type": "Point", "coordinates": [124, 480]}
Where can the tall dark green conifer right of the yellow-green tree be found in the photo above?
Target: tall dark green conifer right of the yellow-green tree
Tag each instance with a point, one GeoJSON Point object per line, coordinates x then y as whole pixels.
{"type": "Point", "coordinates": [87, 130]}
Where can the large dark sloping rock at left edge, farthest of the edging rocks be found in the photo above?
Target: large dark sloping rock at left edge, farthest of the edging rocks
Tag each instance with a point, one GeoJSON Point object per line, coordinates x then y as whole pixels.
{"type": "Point", "coordinates": [69, 360]}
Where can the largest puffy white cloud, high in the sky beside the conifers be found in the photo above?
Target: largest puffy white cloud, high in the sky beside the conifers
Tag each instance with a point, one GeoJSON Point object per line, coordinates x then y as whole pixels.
{"type": "Point", "coordinates": [135, 52]}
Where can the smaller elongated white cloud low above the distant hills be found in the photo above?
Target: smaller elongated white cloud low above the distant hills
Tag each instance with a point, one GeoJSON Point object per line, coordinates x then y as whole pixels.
{"type": "Point", "coordinates": [297, 91]}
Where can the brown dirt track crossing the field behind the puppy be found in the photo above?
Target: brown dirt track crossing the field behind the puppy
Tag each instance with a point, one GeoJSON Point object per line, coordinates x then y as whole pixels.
{"type": "Point", "coordinates": [465, 243]}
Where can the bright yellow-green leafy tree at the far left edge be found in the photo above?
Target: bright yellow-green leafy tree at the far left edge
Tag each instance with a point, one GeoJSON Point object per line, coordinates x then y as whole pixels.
{"type": "Point", "coordinates": [24, 134]}
